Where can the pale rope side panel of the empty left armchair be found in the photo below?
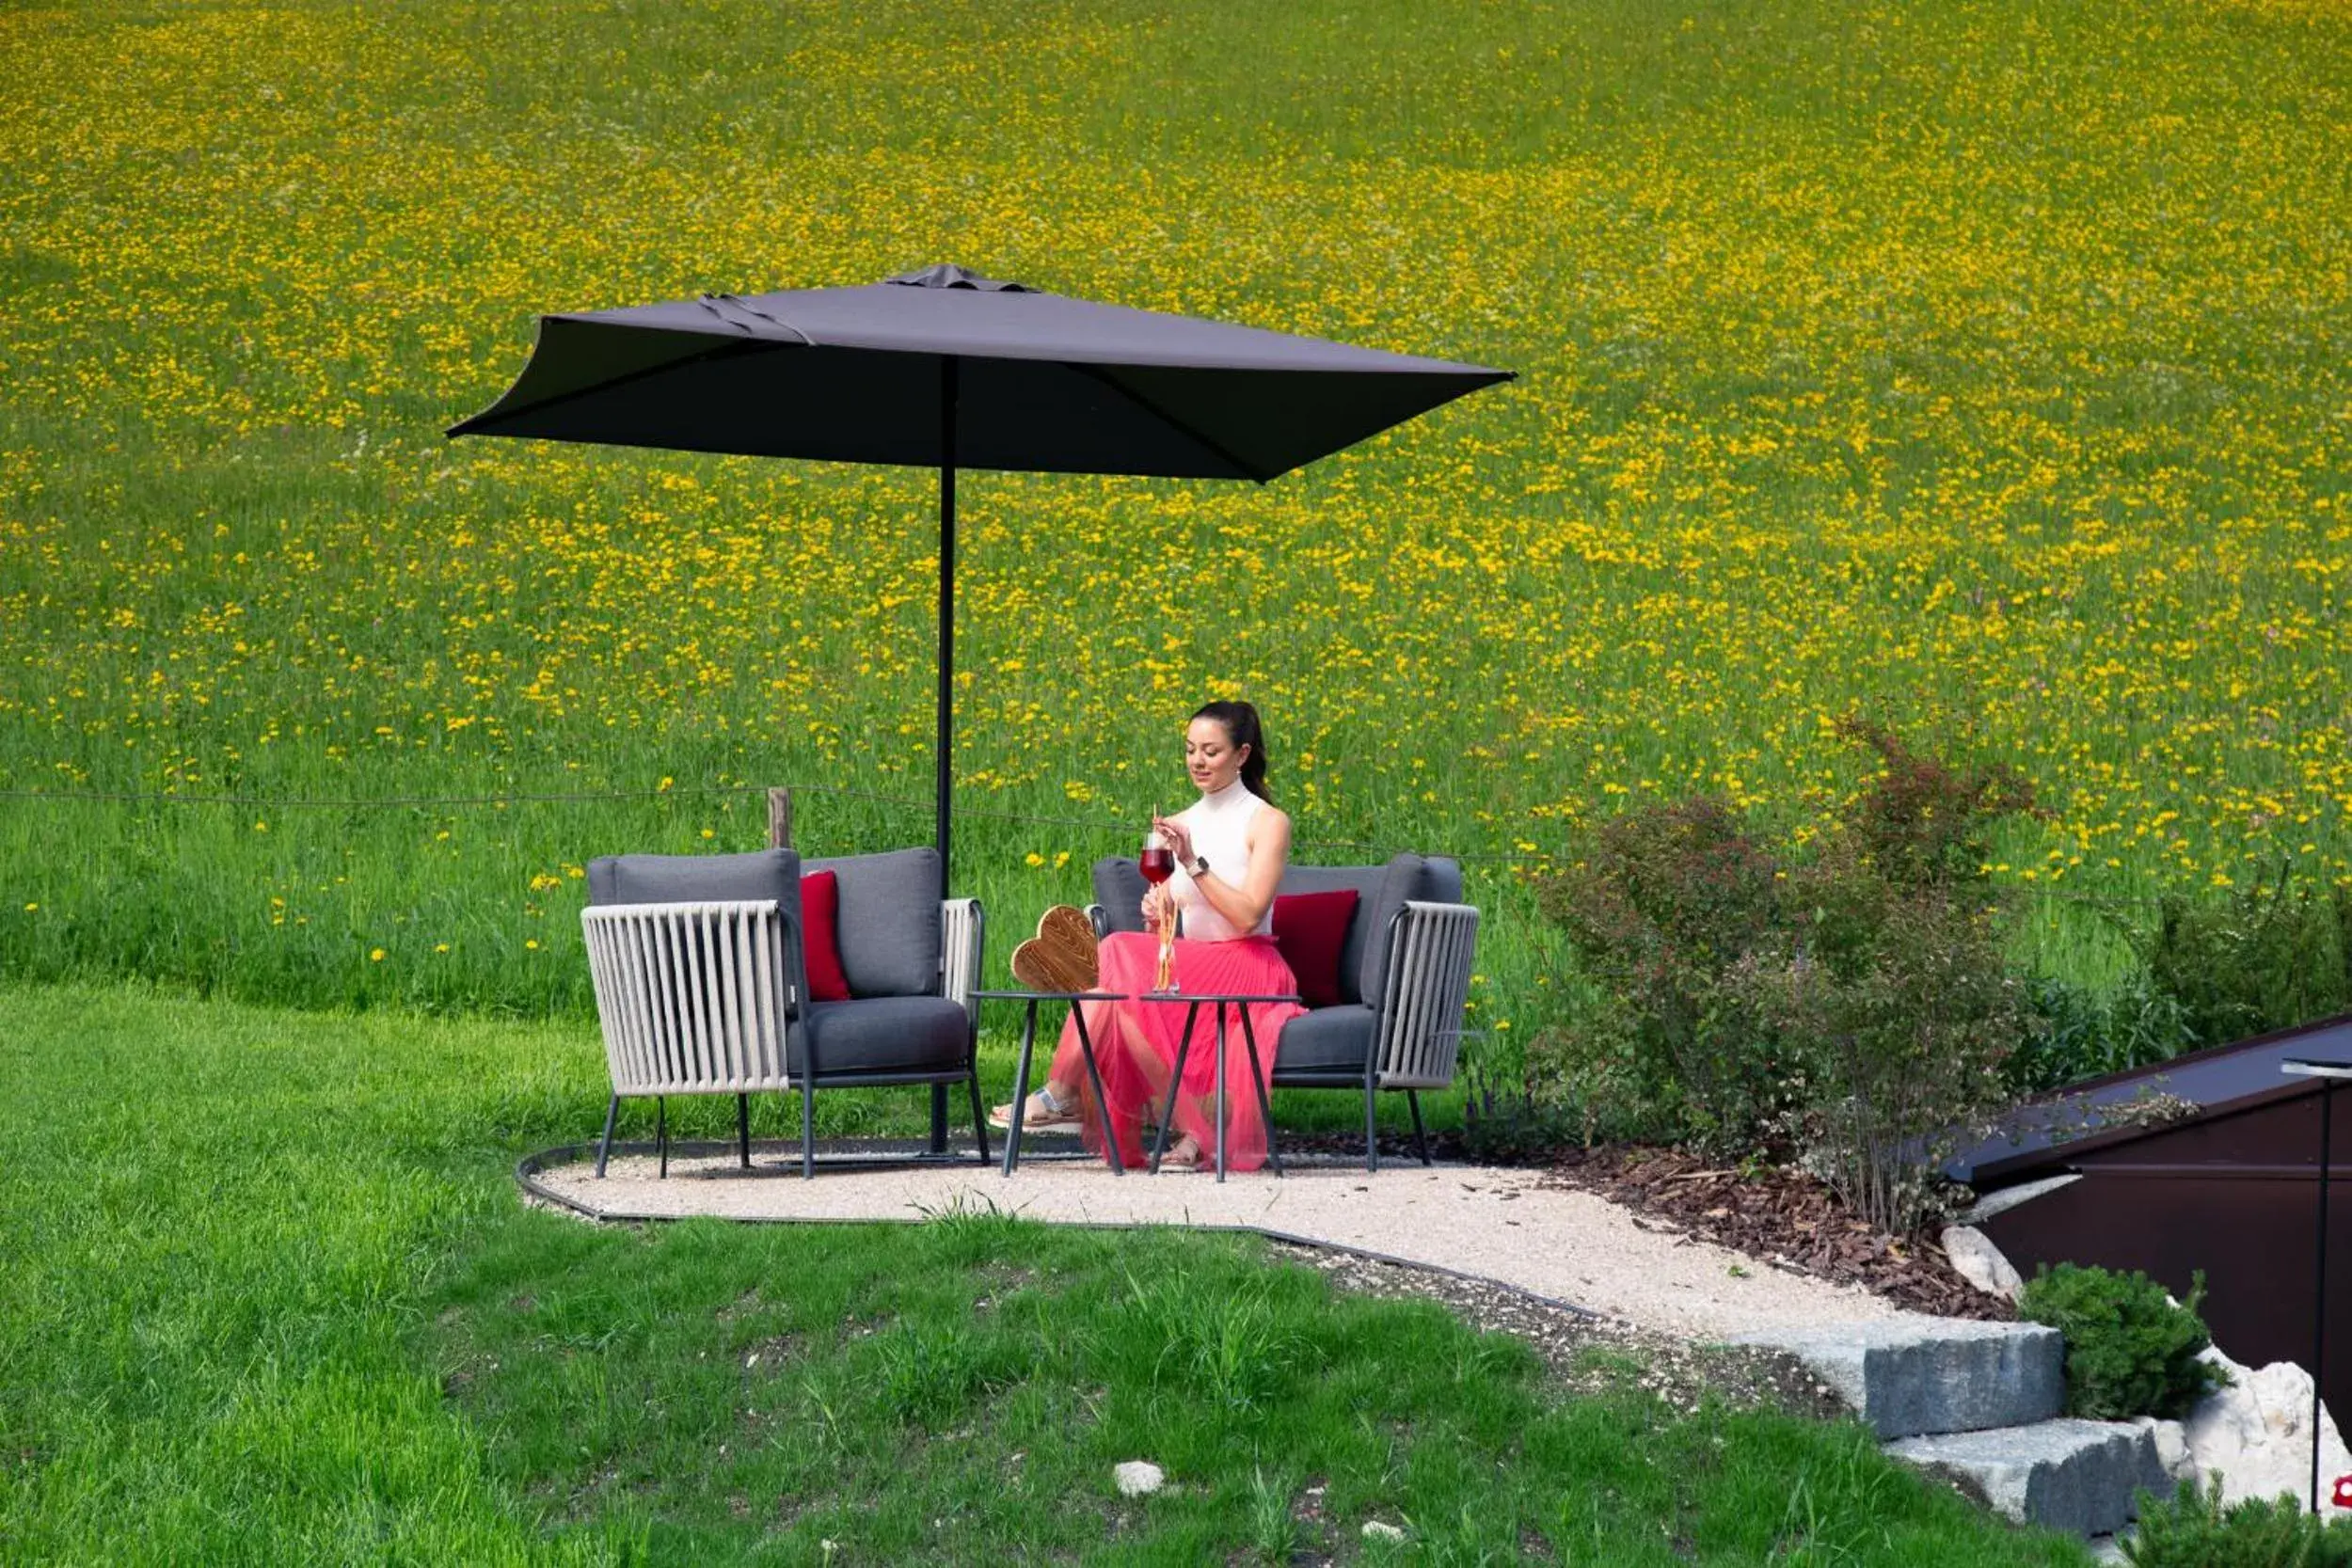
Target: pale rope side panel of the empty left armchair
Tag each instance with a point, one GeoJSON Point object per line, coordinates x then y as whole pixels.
{"type": "Point", "coordinates": [693, 996]}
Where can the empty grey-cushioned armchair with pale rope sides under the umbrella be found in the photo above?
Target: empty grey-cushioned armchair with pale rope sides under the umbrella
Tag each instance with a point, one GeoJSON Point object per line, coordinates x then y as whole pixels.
{"type": "Point", "coordinates": [702, 984]}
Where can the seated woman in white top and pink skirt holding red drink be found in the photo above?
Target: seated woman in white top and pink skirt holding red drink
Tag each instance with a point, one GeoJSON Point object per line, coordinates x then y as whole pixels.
{"type": "Point", "coordinates": [1231, 847]}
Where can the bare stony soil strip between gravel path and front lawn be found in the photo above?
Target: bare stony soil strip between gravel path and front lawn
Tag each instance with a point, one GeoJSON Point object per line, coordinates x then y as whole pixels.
{"type": "Point", "coordinates": [1591, 1355]}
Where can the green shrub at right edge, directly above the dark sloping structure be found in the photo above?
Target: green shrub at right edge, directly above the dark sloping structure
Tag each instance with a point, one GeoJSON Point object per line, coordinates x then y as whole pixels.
{"type": "Point", "coordinates": [2271, 956]}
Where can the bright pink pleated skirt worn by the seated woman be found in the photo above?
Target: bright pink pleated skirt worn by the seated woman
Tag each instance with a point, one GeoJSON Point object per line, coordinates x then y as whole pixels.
{"type": "Point", "coordinates": [1137, 1045]}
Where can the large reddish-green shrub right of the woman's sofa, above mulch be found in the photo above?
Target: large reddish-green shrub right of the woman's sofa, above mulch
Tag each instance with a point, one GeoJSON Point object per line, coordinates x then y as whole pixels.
{"type": "Point", "coordinates": [1850, 1007]}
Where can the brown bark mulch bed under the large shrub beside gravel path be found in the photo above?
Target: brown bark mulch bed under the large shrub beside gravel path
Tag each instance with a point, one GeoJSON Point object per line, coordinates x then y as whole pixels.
{"type": "Point", "coordinates": [1782, 1217]}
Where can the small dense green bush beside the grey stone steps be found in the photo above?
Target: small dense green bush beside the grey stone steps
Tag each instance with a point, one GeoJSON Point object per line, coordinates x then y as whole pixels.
{"type": "Point", "coordinates": [2130, 1348]}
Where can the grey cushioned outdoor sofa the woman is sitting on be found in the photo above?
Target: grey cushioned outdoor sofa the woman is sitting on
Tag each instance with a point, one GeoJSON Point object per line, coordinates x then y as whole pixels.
{"type": "Point", "coordinates": [1403, 979]}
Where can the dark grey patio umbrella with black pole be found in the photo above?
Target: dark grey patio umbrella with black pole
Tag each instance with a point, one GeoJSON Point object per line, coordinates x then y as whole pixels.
{"type": "Point", "coordinates": [951, 370]}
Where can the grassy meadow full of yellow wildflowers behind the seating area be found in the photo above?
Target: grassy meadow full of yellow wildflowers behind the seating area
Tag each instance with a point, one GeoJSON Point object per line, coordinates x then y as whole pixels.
{"type": "Point", "coordinates": [1979, 368]}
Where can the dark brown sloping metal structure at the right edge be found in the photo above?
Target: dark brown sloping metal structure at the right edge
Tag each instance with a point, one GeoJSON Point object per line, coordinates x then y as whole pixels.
{"type": "Point", "coordinates": [2229, 1188]}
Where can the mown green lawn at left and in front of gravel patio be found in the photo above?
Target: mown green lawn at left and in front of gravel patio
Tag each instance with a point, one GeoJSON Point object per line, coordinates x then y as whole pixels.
{"type": "Point", "coordinates": [267, 1294]}
